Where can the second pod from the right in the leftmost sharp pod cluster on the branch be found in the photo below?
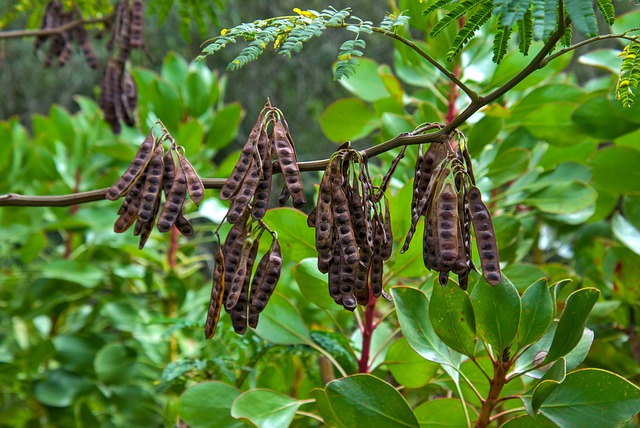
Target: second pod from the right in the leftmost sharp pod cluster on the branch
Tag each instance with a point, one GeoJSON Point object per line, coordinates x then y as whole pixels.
{"type": "Point", "coordinates": [175, 194]}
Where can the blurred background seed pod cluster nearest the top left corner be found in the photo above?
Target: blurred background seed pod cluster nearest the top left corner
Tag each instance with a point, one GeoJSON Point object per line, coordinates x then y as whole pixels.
{"type": "Point", "coordinates": [61, 44]}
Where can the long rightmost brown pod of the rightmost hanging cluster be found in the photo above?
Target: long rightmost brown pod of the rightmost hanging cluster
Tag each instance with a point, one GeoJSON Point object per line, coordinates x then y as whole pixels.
{"type": "Point", "coordinates": [485, 237]}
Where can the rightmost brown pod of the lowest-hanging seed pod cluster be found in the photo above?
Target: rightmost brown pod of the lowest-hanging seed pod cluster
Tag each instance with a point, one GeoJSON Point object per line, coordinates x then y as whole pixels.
{"type": "Point", "coordinates": [264, 282]}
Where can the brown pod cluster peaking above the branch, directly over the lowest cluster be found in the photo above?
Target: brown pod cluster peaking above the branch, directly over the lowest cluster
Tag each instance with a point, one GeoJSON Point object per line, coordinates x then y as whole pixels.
{"type": "Point", "coordinates": [249, 185]}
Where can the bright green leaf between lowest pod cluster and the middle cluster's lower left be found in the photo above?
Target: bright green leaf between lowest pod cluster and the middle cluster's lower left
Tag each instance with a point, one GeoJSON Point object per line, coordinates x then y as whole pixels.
{"type": "Point", "coordinates": [313, 284]}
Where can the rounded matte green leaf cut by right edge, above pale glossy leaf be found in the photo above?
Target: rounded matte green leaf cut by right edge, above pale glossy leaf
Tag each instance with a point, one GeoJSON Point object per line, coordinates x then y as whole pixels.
{"type": "Point", "coordinates": [613, 163]}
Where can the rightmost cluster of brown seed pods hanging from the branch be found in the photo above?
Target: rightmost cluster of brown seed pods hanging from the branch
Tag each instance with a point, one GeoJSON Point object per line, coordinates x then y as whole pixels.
{"type": "Point", "coordinates": [444, 193]}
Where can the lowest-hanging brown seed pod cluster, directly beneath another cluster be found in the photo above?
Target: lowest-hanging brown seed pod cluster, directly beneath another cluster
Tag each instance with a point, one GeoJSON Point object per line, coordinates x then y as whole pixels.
{"type": "Point", "coordinates": [242, 295]}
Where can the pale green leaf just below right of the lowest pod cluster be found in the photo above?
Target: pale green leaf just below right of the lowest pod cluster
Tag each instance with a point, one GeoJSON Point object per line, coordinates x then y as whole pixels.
{"type": "Point", "coordinates": [281, 323]}
